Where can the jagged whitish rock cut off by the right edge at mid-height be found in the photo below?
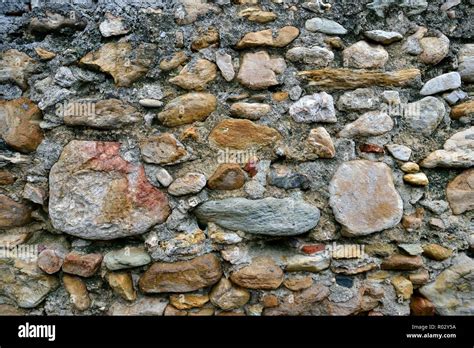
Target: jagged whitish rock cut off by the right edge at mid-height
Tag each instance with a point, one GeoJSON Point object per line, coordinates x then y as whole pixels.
{"type": "Point", "coordinates": [458, 152]}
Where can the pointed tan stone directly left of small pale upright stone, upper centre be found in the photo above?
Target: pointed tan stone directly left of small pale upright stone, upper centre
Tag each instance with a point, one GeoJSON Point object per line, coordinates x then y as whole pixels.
{"type": "Point", "coordinates": [195, 75]}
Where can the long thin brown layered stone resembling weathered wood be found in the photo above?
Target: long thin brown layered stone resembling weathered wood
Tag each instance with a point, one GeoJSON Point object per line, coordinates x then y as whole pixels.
{"type": "Point", "coordinates": [332, 79]}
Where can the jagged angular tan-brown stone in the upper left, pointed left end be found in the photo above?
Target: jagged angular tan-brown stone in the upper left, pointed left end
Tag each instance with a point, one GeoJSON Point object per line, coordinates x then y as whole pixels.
{"type": "Point", "coordinates": [123, 62]}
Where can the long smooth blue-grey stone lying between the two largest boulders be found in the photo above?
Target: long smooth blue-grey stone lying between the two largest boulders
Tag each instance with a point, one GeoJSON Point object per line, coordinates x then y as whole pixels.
{"type": "Point", "coordinates": [268, 216]}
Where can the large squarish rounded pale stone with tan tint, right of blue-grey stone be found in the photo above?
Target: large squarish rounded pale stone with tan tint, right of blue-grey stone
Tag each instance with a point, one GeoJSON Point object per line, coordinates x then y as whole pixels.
{"type": "Point", "coordinates": [364, 199]}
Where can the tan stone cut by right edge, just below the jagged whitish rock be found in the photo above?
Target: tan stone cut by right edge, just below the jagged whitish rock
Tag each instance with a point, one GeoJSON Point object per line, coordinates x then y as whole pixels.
{"type": "Point", "coordinates": [460, 192]}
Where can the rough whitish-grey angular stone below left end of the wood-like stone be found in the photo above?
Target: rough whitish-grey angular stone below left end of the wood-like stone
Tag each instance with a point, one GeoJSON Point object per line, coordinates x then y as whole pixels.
{"type": "Point", "coordinates": [318, 107]}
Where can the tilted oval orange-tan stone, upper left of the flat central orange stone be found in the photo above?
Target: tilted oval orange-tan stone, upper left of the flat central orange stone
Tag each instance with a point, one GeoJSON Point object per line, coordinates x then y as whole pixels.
{"type": "Point", "coordinates": [188, 108]}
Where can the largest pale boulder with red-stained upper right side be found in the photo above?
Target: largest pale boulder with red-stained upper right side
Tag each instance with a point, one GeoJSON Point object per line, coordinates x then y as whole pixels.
{"type": "Point", "coordinates": [100, 177]}
